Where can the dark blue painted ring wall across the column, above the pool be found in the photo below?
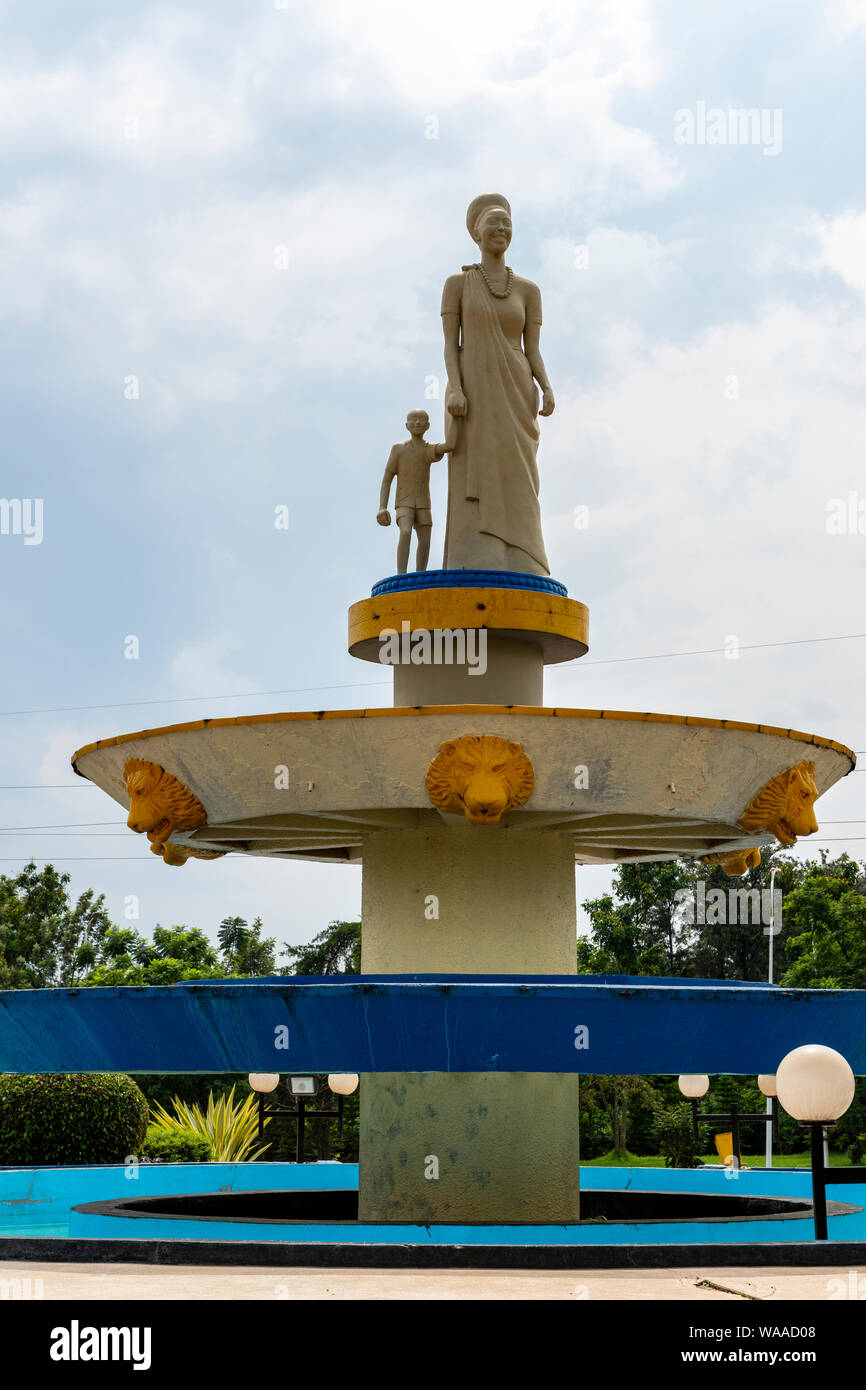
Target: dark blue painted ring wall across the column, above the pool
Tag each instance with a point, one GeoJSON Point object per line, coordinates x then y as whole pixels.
{"type": "Point", "coordinates": [376, 1024]}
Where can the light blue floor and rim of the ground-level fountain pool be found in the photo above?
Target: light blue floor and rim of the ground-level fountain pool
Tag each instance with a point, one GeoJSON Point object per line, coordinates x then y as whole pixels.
{"type": "Point", "coordinates": [41, 1203]}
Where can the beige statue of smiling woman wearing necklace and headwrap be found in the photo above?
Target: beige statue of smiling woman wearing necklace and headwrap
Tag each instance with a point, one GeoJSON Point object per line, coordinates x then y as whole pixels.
{"type": "Point", "coordinates": [493, 327]}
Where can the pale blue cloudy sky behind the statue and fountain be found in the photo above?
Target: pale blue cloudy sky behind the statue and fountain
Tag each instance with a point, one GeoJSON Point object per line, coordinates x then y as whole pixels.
{"type": "Point", "coordinates": [251, 209]}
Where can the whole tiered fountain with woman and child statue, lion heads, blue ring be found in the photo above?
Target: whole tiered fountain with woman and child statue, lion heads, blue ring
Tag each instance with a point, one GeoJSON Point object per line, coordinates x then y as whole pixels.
{"type": "Point", "coordinates": [468, 804]}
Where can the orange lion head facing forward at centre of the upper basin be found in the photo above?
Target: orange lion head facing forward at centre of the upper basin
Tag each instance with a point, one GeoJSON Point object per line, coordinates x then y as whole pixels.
{"type": "Point", "coordinates": [482, 776]}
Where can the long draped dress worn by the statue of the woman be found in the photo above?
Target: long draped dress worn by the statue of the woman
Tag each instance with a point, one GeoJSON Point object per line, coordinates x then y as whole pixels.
{"type": "Point", "coordinates": [494, 516]}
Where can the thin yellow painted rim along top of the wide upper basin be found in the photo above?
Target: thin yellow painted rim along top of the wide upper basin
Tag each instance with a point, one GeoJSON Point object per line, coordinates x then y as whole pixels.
{"type": "Point", "coordinates": [402, 711]}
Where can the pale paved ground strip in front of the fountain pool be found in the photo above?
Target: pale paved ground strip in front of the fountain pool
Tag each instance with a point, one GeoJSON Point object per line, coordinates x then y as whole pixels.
{"type": "Point", "coordinates": [108, 1282]}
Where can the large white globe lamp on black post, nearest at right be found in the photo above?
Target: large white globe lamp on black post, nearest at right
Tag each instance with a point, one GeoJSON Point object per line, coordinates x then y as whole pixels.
{"type": "Point", "coordinates": [815, 1086]}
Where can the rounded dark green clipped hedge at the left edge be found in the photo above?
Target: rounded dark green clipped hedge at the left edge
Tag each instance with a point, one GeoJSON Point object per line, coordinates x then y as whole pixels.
{"type": "Point", "coordinates": [95, 1118]}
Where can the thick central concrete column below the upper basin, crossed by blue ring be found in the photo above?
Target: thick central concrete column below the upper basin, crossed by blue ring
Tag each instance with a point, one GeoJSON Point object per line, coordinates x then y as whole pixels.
{"type": "Point", "coordinates": [469, 1147]}
